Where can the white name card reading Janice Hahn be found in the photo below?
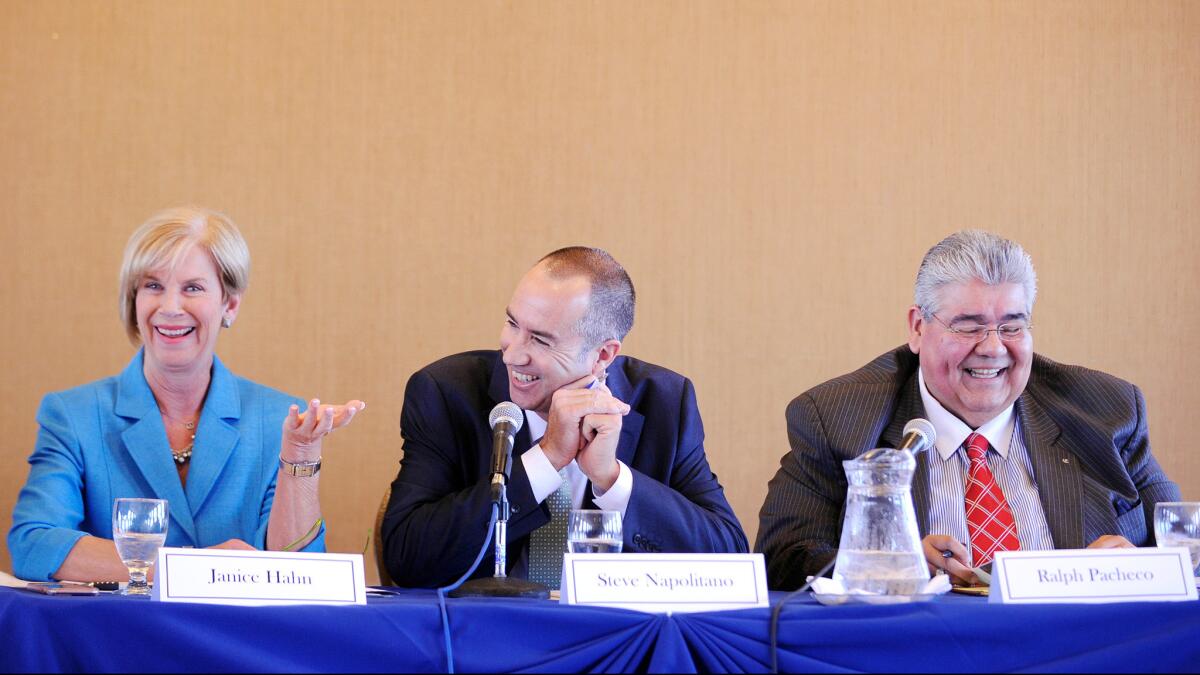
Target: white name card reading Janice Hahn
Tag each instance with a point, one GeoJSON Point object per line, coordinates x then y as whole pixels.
{"type": "Point", "coordinates": [259, 578]}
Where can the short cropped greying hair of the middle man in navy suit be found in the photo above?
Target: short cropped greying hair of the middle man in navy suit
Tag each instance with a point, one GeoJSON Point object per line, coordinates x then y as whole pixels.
{"type": "Point", "coordinates": [611, 302]}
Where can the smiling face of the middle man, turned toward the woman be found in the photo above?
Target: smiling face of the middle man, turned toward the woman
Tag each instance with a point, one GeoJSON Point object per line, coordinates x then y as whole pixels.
{"type": "Point", "coordinates": [541, 343]}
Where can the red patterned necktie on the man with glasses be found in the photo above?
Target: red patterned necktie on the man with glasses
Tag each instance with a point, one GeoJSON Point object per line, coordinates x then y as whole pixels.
{"type": "Point", "coordinates": [989, 519]}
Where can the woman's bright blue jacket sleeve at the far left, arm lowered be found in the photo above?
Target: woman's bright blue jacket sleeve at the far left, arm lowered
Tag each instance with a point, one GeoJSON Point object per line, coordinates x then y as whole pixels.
{"type": "Point", "coordinates": [50, 510]}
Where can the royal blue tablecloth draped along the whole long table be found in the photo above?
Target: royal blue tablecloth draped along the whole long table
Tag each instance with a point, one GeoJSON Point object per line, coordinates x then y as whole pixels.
{"type": "Point", "coordinates": [404, 634]}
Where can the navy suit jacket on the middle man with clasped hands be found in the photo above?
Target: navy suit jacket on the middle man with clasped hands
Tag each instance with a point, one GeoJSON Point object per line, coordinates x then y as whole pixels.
{"type": "Point", "coordinates": [441, 501]}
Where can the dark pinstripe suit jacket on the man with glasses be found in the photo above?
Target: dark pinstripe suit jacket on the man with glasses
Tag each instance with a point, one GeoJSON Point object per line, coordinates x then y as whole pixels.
{"type": "Point", "coordinates": [1087, 434]}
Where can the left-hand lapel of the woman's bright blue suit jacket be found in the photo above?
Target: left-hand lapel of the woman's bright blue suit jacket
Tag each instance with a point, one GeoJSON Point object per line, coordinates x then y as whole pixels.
{"type": "Point", "coordinates": [146, 444]}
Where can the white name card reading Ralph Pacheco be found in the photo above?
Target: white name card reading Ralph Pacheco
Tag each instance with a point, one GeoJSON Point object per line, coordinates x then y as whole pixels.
{"type": "Point", "coordinates": [1094, 576]}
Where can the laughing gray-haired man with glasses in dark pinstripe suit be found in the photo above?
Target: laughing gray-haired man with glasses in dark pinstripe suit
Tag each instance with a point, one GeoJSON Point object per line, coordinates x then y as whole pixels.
{"type": "Point", "coordinates": [1070, 446]}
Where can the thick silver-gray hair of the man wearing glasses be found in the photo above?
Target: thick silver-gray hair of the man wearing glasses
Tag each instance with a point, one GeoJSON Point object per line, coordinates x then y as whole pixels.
{"type": "Point", "coordinates": [974, 255]}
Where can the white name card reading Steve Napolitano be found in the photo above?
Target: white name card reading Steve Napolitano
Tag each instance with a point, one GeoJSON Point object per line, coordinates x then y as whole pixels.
{"type": "Point", "coordinates": [665, 582]}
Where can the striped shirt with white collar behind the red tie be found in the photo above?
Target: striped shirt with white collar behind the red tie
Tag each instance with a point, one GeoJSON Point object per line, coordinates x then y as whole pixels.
{"type": "Point", "coordinates": [1009, 461]}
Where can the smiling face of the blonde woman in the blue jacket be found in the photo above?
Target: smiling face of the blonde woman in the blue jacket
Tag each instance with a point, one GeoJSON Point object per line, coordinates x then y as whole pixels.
{"type": "Point", "coordinates": [179, 313]}
